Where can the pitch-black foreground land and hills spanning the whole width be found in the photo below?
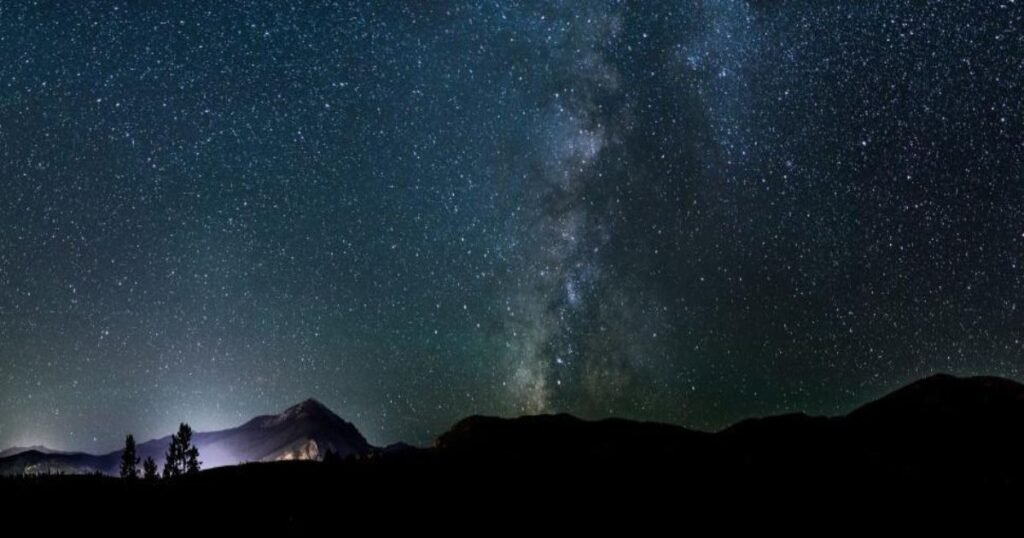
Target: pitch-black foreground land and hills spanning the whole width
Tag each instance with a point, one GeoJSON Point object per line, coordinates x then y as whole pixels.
{"type": "Point", "coordinates": [937, 438]}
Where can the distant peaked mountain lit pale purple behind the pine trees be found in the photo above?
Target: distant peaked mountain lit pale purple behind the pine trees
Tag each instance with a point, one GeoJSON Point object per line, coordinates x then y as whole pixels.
{"type": "Point", "coordinates": [307, 431]}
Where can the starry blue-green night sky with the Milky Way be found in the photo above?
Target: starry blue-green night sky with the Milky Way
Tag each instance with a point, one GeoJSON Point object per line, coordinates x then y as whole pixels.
{"type": "Point", "coordinates": [687, 212]}
